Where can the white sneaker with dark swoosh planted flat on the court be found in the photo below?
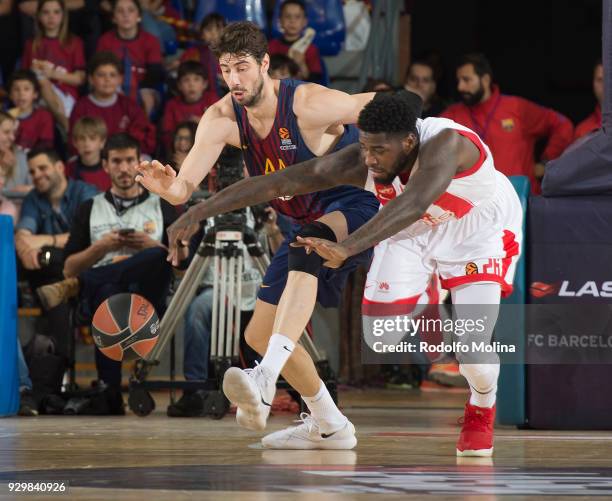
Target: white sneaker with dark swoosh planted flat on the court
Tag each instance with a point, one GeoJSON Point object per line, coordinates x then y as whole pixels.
{"type": "Point", "coordinates": [307, 435]}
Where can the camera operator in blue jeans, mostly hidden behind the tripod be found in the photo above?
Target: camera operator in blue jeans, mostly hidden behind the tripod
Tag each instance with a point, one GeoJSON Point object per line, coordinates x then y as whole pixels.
{"type": "Point", "coordinates": [198, 320]}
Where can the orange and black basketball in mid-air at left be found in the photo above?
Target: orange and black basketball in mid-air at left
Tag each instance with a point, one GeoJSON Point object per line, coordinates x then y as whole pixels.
{"type": "Point", "coordinates": [125, 327]}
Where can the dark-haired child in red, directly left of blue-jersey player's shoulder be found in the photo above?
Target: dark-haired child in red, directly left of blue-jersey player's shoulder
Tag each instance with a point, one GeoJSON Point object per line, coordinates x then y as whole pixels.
{"type": "Point", "coordinates": [193, 100]}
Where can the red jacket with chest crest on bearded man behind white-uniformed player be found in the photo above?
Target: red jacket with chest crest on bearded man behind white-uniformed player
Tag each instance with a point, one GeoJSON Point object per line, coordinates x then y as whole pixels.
{"type": "Point", "coordinates": [510, 126]}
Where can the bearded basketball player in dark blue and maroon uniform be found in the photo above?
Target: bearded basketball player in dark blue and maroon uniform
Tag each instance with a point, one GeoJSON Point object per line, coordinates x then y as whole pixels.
{"type": "Point", "coordinates": [279, 123]}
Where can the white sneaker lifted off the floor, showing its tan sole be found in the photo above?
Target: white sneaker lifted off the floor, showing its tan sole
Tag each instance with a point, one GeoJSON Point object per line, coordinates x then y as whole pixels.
{"type": "Point", "coordinates": [252, 391]}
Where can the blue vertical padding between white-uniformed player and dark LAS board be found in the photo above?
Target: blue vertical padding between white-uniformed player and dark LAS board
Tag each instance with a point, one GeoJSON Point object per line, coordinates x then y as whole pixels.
{"type": "Point", "coordinates": [511, 396]}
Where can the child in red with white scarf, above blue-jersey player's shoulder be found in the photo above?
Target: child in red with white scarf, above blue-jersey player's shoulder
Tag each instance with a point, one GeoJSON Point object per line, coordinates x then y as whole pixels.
{"type": "Point", "coordinates": [293, 21]}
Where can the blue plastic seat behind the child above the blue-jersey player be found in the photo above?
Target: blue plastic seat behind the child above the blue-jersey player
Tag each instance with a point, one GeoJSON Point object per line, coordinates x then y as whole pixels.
{"type": "Point", "coordinates": [326, 17]}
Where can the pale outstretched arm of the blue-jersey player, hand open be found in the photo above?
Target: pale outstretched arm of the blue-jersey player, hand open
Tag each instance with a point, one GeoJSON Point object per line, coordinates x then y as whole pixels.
{"type": "Point", "coordinates": [210, 140]}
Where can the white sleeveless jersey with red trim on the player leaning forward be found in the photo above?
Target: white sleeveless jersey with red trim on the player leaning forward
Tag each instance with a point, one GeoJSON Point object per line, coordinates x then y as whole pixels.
{"type": "Point", "coordinates": [467, 190]}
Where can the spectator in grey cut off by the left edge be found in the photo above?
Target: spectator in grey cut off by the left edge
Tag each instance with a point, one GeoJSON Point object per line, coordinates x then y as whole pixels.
{"type": "Point", "coordinates": [13, 161]}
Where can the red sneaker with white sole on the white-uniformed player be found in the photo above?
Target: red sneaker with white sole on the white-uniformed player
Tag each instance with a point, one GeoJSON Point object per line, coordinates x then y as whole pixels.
{"type": "Point", "coordinates": [476, 437]}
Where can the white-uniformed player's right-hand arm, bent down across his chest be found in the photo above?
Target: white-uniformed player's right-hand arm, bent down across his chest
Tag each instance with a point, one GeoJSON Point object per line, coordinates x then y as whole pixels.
{"type": "Point", "coordinates": [439, 160]}
